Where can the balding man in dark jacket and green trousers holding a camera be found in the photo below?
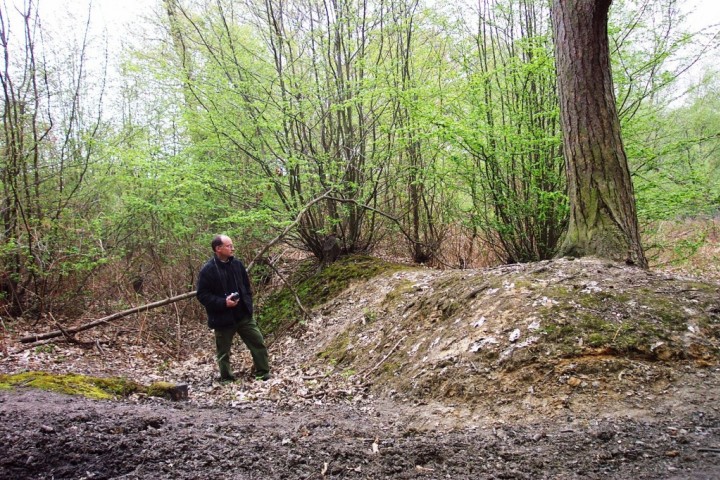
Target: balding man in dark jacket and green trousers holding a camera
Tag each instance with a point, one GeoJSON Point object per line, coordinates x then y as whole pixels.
{"type": "Point", "coordinates": [224, 290]}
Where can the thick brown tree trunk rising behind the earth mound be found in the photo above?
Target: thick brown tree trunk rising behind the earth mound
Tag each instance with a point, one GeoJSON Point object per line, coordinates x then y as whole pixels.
{"type": "Point", "coordinates": [603, 219]}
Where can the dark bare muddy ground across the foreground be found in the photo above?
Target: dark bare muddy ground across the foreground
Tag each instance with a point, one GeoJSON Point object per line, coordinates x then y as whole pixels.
{"type": "Point", "coordinates": [45, 435]}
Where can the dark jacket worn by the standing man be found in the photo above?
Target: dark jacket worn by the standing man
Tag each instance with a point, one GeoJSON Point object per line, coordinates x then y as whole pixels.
{"type": "Point", "coordinates": [216, 281]}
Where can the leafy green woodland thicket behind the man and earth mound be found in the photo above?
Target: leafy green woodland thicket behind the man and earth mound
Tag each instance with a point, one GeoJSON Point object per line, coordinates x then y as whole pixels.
{"type": "Point", "coordinates": [418, 131]}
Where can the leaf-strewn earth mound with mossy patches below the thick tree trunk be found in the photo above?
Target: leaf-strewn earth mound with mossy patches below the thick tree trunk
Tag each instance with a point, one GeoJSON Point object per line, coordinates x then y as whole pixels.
{"type": "Point", "coordinates": [525, 341]}
